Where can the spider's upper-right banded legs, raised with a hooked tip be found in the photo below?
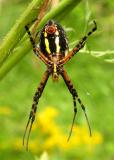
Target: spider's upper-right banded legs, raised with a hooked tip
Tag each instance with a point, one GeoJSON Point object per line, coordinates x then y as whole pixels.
{"type": "Point", "coordinates": [79, 46]}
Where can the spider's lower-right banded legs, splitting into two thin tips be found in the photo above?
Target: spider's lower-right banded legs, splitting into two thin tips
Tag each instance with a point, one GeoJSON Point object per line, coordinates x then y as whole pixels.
{"type": "Point", "coordinates": [75, 96]}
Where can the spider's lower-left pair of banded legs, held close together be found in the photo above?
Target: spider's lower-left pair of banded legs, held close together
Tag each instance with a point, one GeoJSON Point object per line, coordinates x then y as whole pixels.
{"type": "Point", "coordinates": [36, 97]}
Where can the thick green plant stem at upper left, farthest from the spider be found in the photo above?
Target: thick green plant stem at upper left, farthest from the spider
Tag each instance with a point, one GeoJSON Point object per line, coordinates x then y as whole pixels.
{"type": "Point", "coordinates": [17, 31]}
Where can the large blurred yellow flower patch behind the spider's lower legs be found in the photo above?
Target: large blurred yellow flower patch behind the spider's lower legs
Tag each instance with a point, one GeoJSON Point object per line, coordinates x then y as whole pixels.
{"type": "Point", "coordinates": [53, 136]}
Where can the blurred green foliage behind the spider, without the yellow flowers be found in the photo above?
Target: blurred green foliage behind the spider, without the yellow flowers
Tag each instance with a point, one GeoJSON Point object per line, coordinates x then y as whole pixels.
{"type": "Point", "coordinates": [93, 78]}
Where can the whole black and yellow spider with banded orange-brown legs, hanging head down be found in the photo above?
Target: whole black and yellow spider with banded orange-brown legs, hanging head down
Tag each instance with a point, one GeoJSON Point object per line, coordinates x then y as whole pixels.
{"type": "Point", "coordinates": [52, 49]}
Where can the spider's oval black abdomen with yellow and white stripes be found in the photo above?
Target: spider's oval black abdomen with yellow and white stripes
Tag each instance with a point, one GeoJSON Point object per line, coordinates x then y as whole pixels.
{"type": "Point", "coordinates": [53, 39]}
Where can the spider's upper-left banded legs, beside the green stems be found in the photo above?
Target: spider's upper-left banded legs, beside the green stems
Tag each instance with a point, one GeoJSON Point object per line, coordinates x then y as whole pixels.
{"type": "Point", "coordinates": [36, 49]}
